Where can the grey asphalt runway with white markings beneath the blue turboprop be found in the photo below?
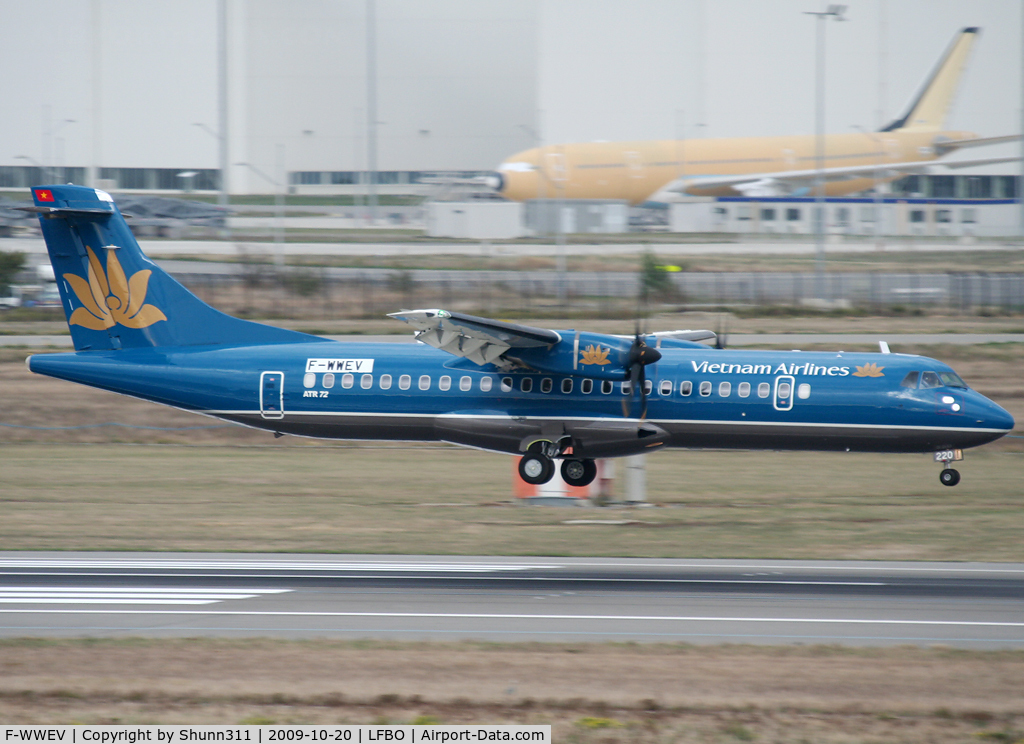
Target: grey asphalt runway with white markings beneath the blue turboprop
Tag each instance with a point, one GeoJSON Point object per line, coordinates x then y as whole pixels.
{"type": "Point", "coordinates": [511, 599]}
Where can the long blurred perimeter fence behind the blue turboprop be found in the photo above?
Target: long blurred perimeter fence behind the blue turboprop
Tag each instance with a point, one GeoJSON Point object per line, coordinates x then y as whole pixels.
{"type": "Point", "coordinates": [271, 292]}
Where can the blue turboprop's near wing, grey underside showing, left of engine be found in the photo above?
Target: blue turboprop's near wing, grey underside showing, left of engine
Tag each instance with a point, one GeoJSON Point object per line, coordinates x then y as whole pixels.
{"type": "Point", "coordinates": [480, 340]}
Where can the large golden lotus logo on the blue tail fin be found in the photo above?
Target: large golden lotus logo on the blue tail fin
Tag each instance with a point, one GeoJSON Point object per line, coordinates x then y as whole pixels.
{"type": "Point", "coordinates": [112, 298]}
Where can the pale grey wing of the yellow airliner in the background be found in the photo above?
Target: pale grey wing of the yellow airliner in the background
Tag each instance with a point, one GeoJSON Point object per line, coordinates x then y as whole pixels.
{"type": "Point", "coordinates": [783, 184]}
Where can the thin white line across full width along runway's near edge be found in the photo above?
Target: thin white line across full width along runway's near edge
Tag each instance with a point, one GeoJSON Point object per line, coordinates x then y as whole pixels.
{"type": "Point", "coordinates": [516, 617]}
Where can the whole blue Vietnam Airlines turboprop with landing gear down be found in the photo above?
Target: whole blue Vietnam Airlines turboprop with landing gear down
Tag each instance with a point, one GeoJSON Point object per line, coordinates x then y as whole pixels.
{"type": "Point", "coordinates": [546, 396]}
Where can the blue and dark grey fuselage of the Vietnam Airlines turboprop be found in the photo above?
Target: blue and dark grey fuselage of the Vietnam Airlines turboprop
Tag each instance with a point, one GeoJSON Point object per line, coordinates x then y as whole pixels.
{"type": "Point", "coordinates": [699, 399]}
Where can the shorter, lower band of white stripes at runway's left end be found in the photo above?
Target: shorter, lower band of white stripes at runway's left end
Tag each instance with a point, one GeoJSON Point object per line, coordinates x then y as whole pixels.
{"type": "Point", "coordinates": [125, 595]}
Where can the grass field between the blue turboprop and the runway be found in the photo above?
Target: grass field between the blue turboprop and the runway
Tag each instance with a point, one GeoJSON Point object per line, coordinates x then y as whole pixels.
{"type": "Point", "coordinates": [121, 497]}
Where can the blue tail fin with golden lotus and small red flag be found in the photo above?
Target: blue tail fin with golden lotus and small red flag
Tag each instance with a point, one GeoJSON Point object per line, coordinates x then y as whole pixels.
{"type": "Point", "coordinates": [117, 298]}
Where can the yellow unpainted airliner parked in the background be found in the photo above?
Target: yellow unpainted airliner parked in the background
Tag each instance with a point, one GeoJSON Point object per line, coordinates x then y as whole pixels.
{"type": "Point", "coordinates": [665, 170]}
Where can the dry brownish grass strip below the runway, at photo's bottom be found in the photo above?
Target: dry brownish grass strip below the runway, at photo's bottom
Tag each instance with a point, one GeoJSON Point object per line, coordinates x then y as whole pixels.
{"type": "Point", "coordinates": [589, 693]}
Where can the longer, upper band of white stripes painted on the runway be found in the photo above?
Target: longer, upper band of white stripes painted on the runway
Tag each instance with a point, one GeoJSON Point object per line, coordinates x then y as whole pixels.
{"type": "Point", "coordinates": [476, 567]}
